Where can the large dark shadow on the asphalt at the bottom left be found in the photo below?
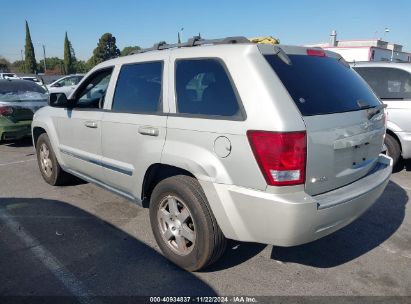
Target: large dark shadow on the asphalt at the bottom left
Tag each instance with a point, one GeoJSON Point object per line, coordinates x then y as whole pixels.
{"type": "Point", "coordinates": [102, 258]}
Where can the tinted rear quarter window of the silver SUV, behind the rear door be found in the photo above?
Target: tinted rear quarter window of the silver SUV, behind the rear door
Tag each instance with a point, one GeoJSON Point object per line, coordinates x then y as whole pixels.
{"type": "Point", "coordinates": [204, 88]}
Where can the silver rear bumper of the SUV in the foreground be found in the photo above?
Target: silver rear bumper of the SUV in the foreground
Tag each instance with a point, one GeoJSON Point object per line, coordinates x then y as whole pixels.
{"type": "Point", "coordinates": [293, 218]}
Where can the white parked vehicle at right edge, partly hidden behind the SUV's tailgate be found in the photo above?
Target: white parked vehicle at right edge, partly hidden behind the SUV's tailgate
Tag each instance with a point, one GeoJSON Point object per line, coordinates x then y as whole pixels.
{"type": "Point", "coordinates": [391, 82]}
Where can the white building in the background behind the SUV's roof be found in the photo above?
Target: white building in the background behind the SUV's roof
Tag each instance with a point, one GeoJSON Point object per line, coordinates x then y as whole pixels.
{"type": "Point", "coordinates": [365, 50]}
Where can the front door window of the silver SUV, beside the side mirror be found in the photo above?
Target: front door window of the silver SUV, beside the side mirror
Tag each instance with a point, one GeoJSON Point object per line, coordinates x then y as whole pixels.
{"type": "Point", "coordinates": [93, 90]}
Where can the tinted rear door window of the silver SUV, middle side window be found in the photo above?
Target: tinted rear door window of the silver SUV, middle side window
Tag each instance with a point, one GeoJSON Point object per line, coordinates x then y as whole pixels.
{"type": "Point", "coordinates": [138, 88]}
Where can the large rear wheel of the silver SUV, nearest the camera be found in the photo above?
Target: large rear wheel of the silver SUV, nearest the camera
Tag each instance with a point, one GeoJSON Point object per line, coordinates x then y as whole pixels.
{"type": "Point", "coordinates": [187, 232]}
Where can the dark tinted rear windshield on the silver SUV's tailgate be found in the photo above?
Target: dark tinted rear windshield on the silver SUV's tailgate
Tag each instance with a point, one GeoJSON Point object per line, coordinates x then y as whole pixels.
{"type": "Point", "coordinates": [322, 85]}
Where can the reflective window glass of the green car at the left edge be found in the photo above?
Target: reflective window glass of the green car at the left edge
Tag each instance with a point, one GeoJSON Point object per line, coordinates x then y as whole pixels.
{"type": "Point", "coordinates": [14, 91]}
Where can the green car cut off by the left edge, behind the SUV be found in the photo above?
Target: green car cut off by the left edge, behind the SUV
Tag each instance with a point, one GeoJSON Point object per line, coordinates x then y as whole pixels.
{"type": "Point", "coordinates": [19, 100]}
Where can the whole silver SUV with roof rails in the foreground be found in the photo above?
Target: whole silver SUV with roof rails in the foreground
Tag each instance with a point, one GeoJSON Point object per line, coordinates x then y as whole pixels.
{"type": "Point", "coordinates": [272, 144]}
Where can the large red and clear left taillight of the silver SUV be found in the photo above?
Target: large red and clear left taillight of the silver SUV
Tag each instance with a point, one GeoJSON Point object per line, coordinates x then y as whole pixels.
{"type": "Point", "coordinates": [280, 155]}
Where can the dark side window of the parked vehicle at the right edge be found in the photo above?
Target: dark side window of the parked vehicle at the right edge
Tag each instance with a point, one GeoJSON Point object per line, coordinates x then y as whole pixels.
{"type": "Point", "coordinates": [387, 83]}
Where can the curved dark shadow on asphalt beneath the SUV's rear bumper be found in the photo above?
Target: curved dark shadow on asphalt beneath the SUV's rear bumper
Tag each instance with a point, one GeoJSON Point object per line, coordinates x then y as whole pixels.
{"type": "Point", "coordinates": [366, 233]}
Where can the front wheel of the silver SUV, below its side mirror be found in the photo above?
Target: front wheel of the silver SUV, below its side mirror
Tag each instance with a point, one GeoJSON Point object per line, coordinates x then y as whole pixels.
{"type": "Point", "coordinates": [49, 167]}
